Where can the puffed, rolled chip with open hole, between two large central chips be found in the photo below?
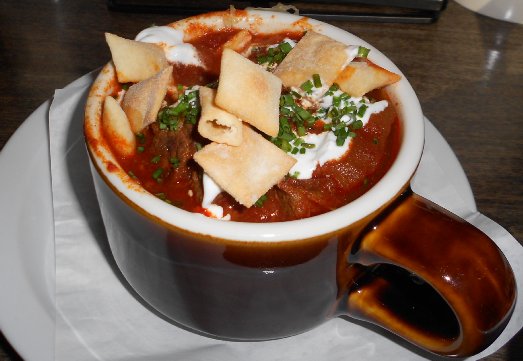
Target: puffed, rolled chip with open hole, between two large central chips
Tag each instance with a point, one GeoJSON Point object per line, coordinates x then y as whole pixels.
{"type": "Point", "coordinates": [215, 123]}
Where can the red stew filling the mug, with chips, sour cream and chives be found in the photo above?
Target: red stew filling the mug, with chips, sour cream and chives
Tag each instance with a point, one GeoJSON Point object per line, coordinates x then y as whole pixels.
{"type": "Point", "coordinates": [250, 127]}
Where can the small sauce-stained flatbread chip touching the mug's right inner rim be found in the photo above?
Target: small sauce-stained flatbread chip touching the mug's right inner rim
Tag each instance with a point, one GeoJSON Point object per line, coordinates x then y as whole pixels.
{"type": "Point", "coordinates": [359, 78]}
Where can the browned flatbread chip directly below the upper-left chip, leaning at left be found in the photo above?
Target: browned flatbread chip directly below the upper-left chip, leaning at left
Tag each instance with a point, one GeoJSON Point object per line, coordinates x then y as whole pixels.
{"type": "Point", "coordinates": [143, 100]}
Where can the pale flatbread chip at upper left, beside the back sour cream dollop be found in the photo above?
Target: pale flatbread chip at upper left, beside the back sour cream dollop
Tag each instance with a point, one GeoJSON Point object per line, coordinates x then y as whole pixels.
{"type": "Point", "coordinates": [134, 60]}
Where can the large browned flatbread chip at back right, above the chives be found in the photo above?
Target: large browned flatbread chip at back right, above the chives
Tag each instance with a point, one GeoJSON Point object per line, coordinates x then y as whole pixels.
{"type": "Point", "coordinates": [314, 54]}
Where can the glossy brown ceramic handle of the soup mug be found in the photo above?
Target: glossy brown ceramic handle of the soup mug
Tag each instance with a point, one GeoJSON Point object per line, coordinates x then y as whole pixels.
{"type": "Point", "coordinates": [431, 278]}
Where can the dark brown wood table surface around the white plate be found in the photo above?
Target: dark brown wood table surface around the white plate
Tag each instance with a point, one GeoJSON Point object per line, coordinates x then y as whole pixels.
{"type": "Point", "coordinates": [467, 70]}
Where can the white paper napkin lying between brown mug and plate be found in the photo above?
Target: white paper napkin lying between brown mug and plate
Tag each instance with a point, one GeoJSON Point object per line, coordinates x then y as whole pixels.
{"type": "Point", "coordinates": [98, 318]}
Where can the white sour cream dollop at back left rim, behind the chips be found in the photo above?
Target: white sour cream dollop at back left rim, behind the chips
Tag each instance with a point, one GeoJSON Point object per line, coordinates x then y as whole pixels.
{"type": "Point", "coordinates": [171, 40]}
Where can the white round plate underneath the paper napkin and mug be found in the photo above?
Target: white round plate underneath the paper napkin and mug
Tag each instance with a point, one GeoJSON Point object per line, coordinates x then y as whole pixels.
{"type": "Point", "coordinates": [26, 220]}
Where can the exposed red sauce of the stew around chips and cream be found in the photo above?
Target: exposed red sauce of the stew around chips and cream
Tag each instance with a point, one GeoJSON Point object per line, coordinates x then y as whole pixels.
{"type": "Point", "coordinates": [336, 183]}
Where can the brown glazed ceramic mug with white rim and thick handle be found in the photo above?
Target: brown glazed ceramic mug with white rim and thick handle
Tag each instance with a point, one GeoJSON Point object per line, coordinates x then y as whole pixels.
{"type": "Point", "coordinates": [390, 257]}
